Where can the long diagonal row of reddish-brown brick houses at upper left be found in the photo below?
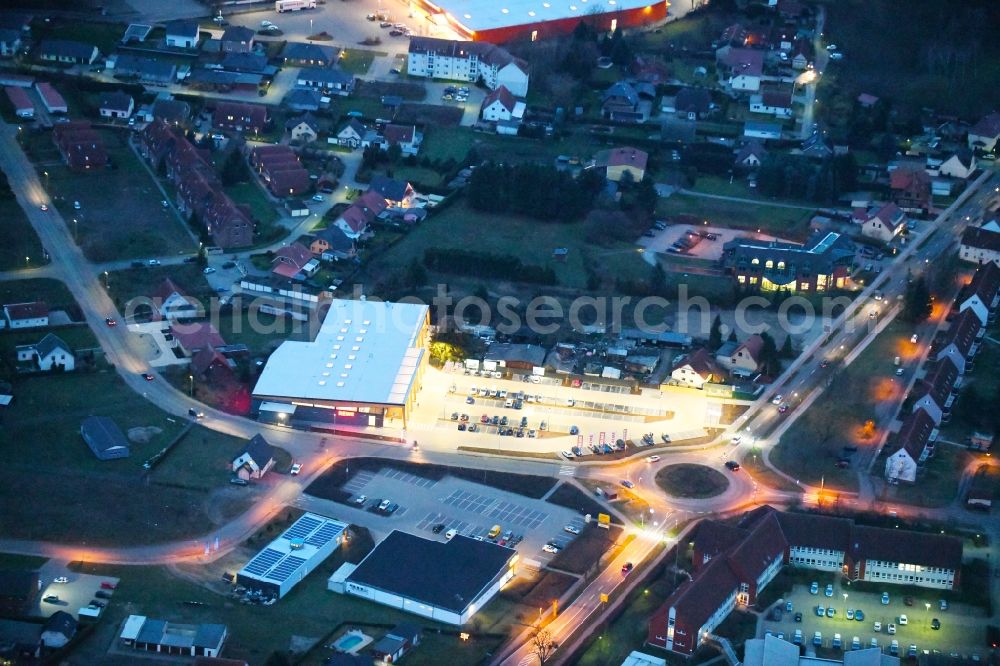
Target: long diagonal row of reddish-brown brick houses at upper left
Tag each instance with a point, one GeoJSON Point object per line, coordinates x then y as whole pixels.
{"type": "Point", "coordinates": [199, 192]}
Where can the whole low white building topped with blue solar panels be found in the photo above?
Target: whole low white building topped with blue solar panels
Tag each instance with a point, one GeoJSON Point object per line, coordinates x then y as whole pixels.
{"type": "Point", "coordinates": [291, 557]}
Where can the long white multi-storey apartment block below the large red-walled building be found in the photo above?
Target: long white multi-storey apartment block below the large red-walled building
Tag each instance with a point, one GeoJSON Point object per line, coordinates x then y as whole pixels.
{"type": "Point", "coordinates": [467, 61]}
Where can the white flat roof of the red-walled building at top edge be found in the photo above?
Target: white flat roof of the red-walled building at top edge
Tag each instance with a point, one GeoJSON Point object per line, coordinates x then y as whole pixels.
{"type": "Point", "coordinates": [479, 15]}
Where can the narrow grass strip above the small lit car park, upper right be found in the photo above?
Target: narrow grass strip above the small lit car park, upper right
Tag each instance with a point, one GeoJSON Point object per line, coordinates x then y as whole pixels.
{"type": "Point", "coordinates": [788, 223]}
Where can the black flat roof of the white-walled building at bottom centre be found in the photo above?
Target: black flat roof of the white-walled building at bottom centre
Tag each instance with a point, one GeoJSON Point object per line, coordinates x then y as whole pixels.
{"type": "Point", "coordinates": [446, 574]}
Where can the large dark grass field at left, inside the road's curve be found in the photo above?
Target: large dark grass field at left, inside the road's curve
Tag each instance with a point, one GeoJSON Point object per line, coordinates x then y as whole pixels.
{"type": "Point", "coordinates": [64, 487]}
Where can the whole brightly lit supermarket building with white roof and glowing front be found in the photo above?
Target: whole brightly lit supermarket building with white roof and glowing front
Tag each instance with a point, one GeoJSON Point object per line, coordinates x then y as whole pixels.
{"type": "Point", "coordinates": [363, 368]}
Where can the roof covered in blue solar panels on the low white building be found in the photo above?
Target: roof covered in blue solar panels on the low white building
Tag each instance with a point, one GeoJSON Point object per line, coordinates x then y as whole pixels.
{"type": "Point", "coordinates": [296, 546]}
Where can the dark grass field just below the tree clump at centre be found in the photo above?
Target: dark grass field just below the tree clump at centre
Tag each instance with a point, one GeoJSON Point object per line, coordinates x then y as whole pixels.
{"type": "Point", "coordinates": [461, 227]}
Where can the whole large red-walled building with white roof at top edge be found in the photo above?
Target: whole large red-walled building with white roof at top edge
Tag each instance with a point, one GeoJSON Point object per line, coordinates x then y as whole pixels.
{"type": "Point", "coordinates": [508, 20]}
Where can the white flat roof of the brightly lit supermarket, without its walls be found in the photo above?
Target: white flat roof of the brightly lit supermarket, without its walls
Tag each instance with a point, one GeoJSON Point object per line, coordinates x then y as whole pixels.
{"type": "Point", "coordinates": [365, 352]}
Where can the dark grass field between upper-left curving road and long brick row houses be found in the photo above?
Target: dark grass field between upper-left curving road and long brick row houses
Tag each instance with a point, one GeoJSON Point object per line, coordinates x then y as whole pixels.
{"type": "Point", "coordinates": [99, 230]}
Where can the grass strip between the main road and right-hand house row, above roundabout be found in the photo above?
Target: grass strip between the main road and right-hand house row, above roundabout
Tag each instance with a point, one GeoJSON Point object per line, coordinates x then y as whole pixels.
{"type": "Point", "coordinates": [810, 447]}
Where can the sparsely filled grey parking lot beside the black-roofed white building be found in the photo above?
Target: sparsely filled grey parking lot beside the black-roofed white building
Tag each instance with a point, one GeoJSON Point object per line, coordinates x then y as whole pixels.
{"type": "Point", "coordinates": [433, 507]}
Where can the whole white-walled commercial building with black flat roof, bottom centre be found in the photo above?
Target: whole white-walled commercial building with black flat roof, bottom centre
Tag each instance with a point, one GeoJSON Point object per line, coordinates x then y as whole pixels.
{"type": "Point", "coordinates": [447, 581]}
